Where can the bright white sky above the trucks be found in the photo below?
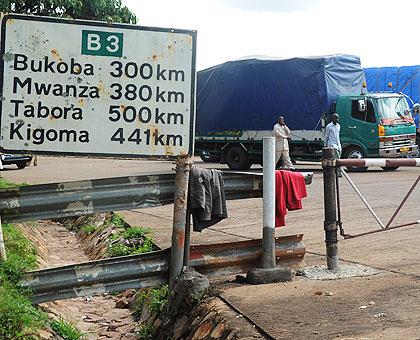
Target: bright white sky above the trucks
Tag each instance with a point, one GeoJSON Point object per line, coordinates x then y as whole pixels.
{"type": "Point", "coordinates": [381, 33]}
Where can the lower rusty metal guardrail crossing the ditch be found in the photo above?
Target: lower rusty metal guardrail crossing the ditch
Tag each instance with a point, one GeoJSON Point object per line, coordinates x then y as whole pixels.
{"type": "Point", "coordinates": [152, 269]}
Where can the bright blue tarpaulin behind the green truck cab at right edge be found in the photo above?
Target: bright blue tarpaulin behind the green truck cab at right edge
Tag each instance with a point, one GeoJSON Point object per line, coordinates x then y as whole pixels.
{"type": "Point", "coordinates": [405, 79]}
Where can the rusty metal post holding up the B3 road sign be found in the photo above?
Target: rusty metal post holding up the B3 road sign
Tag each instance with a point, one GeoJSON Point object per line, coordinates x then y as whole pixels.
{"type": "Point", "coordinates": [180, 217]}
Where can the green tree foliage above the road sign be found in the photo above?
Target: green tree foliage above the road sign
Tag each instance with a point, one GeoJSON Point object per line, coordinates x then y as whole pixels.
{"type": "Point", "coordinates": [104, 10]}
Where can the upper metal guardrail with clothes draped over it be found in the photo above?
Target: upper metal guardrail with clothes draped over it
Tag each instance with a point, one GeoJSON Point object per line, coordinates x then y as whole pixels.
{"type": "Point", "coordinates": [78, 198]}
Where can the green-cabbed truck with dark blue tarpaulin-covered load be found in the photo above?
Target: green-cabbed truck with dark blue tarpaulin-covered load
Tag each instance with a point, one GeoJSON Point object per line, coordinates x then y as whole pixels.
{"type": "Point", "coordinates": [238, 103]}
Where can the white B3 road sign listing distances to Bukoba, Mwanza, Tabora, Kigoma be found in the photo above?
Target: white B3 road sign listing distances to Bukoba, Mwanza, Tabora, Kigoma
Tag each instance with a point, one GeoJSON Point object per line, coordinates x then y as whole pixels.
{"type": "Point", "coordinates": [93, 88]}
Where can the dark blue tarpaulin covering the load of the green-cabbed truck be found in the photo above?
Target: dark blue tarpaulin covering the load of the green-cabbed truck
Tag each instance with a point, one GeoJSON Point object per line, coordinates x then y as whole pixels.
{"type": "Point", "coordinates": [250, 94]}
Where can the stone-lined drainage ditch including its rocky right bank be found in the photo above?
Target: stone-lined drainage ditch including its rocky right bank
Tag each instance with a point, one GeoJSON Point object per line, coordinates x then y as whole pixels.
{"type": "Point", "coordinates": [108, 316]}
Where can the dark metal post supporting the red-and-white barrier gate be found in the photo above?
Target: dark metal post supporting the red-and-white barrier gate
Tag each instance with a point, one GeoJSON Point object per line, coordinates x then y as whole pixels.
{"type": "Point", "coordinates": [330, 208]}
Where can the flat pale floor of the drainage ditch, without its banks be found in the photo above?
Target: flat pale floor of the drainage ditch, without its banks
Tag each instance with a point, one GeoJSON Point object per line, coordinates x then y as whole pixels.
{"type": "Point", "coordinates": [95, 316]}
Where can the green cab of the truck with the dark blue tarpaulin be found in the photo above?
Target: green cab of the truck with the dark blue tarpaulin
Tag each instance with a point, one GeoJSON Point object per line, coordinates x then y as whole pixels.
{"type": "Point", "coordinates": [376, 125]}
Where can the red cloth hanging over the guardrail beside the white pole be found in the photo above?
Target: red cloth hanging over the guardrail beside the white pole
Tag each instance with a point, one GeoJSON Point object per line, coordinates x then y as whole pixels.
{"type": "Point", "coordinates": [290, 189]}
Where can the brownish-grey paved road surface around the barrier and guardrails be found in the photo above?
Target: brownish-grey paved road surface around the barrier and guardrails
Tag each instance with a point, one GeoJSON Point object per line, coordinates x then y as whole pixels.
{"type": "Point", "coordinates": [301, 309]}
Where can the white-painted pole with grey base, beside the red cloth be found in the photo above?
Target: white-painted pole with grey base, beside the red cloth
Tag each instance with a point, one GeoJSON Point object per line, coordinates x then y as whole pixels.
{"type": "Point", "coordinates": [269, 202]}
